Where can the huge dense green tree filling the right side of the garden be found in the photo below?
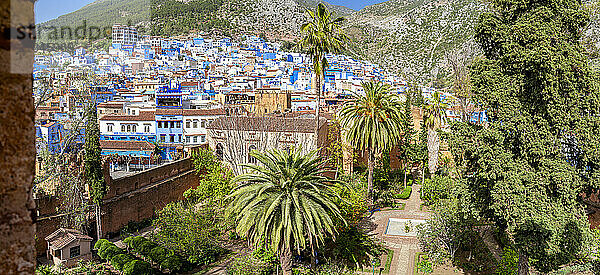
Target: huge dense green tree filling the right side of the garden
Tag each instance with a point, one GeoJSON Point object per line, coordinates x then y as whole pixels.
{"type": "Point", "coordinates": [526, 170]}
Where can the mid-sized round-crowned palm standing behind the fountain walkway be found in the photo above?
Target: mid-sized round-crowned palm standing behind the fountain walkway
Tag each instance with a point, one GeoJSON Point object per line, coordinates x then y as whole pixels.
{"type": "Point", "coordinates": [373, 123]}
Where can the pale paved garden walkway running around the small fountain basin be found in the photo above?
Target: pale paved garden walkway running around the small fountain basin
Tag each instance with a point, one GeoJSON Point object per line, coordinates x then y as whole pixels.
{"type": "Point", "coordinates": [404, 248]}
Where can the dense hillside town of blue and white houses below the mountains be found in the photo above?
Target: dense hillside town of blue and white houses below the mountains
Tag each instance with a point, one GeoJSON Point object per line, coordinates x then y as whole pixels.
{"type": "Point", "coordinates": [167, 92]}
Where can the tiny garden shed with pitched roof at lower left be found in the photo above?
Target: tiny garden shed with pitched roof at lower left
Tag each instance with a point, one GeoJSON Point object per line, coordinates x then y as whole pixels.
{"type": "Point", "coordinates": [68, 246]}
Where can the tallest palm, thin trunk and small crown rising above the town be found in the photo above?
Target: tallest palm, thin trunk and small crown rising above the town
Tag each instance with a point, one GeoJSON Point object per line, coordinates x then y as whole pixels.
{"type": "Point", "coordinates": [321, 35]}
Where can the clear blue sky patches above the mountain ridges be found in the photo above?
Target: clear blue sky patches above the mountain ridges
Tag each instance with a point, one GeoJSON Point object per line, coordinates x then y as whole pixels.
{"type": "Point", "coordinates": [50, 9]}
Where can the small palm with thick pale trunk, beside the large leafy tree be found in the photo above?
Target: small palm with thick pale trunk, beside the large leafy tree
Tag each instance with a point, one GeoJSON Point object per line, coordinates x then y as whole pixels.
{"type": "Point", "coordinates": [435, 117]}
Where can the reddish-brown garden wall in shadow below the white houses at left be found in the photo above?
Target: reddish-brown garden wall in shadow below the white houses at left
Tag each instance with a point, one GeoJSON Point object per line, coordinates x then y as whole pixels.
{"type": "Point", "coordinates": [131, 198]}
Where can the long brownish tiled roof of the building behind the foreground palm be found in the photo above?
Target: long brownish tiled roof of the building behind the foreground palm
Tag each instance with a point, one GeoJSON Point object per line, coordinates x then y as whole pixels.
{"type": "Point", "coordinates": [266, 124]}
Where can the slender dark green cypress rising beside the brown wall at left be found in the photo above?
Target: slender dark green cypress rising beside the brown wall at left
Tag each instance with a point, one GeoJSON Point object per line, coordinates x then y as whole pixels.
{"type": "Point", "coordinates": [93, 174]}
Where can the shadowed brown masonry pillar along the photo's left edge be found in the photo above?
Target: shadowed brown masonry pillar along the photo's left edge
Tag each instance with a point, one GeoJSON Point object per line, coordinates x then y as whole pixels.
{"type": "Point", "coordinates": [17, 147]}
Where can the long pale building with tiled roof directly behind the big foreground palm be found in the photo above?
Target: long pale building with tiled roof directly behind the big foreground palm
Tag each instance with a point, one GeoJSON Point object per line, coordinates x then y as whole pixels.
{"type": "Point", "coordinates": [233, 138]}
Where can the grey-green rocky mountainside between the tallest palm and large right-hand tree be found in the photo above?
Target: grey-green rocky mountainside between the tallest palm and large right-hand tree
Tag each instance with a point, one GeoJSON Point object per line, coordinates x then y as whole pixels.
{"type": "Point", "coordinates": [413, 37]}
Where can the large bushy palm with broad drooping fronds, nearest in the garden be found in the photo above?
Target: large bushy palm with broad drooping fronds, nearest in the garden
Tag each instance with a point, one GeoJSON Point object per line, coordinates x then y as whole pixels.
{"type": "Point", "coordinates": [285, 202]}
